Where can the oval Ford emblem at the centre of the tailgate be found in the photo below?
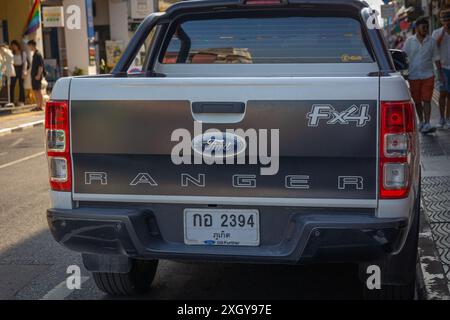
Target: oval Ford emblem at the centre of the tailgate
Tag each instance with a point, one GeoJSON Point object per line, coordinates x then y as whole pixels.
{"type": "Point", "coordinates": [219, 144]}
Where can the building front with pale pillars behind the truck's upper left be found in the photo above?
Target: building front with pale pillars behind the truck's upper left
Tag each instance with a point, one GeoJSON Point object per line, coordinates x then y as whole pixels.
{"type": "Point", "coordinates": [94, 45]}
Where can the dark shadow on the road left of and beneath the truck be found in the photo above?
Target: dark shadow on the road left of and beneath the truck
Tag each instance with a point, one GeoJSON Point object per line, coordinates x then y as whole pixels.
{"type": "Point", "coordinates": [31, 268]}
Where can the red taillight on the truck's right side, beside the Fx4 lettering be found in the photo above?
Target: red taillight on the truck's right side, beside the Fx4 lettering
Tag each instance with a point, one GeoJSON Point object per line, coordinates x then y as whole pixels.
{"type": "Point", "coordinates": [397, 143]}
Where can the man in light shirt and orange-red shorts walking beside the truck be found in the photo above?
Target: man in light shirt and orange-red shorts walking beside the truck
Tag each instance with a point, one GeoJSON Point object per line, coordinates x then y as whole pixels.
{"type": "Point", "coordinates": [422, 51]}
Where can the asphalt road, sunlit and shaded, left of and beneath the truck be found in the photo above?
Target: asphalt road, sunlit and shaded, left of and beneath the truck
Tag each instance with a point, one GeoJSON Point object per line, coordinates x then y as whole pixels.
{"type": "Point", "coordinates": [33, 266]}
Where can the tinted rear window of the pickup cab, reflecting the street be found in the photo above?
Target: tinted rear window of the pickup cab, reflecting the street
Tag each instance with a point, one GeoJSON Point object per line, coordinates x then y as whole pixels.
{"type": "Point", "coordinates": [267, 40]}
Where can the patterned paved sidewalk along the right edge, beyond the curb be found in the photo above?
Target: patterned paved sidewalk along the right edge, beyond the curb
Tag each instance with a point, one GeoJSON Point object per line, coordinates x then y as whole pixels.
{"type": "Point", "coordinates": [435, 159]}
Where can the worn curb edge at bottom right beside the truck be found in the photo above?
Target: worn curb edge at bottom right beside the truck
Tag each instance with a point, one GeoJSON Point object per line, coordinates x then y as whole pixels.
{"type": "Point", "coordinates": [432, 282]}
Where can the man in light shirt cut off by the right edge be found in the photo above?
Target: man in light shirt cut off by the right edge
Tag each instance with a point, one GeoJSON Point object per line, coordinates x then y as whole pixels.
{"type": "Point", "coordinates": [442, 37]}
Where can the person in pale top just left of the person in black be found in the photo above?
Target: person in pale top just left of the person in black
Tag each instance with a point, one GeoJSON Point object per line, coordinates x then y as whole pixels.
{"type": "Point", "coordinates": [20, 61]}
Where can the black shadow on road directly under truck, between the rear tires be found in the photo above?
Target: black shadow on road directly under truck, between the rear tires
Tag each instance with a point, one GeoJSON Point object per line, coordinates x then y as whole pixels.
{"type": "Point", "coordinates": [177, 280]}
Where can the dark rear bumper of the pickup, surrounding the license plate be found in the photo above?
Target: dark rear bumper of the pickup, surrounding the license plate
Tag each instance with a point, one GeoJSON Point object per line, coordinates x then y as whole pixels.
{"type": "Point", "coordinates": [287, 236]}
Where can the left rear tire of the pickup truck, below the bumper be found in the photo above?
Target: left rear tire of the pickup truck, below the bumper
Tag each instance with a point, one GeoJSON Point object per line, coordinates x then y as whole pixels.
{"type": "Point", "coordinates": [137, 281]}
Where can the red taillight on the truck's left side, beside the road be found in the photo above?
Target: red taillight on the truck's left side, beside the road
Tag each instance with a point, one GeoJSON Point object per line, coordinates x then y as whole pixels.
{"type": "Point", "coordinates": [58, 145]}
